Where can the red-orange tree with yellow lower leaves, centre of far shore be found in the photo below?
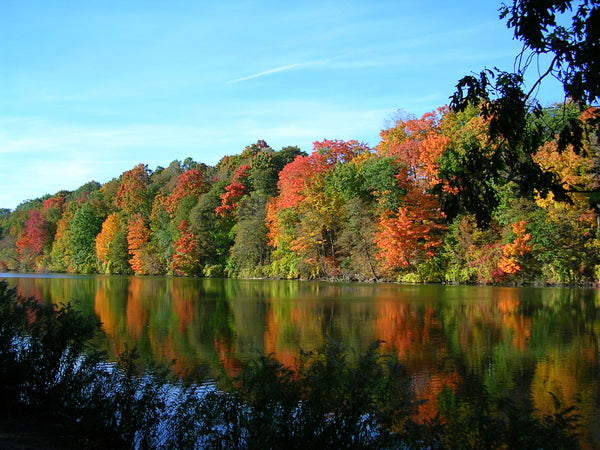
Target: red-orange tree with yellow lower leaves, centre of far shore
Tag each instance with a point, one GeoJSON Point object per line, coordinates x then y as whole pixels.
{"type": "Point", "coordinates": [304, 219]}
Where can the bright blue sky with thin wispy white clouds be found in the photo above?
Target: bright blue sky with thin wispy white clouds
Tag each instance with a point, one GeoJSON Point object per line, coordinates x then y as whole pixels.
{"type": "Point", "coordinates": [89, 89]}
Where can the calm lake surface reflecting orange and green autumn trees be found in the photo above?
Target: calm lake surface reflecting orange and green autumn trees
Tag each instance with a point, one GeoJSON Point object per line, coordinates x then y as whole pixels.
{"type": "Point", "coordinates": [534, 344]}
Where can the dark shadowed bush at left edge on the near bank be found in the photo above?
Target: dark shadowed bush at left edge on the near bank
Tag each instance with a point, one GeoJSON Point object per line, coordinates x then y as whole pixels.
{"type": "Point", "coordinates": [42, 347]}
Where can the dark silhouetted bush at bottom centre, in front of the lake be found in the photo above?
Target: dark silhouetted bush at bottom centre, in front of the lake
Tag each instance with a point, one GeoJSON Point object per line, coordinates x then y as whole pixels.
{"type": "Point", "coordinates": [328, 402]}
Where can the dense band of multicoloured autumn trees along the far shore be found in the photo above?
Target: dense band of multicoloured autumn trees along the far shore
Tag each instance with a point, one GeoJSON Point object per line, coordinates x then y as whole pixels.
{"type": "Point", "coordinates": [439, 199]}
